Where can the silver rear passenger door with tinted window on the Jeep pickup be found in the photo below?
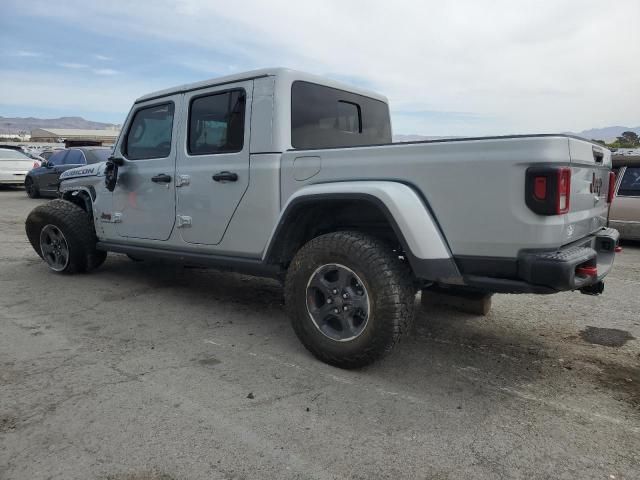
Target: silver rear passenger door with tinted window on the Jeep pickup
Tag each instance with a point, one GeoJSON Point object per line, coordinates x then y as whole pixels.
{"type": "Point", "coordinates": [213, 163]}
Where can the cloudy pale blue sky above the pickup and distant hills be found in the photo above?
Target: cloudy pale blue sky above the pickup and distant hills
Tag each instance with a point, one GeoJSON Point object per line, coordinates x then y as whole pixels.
{"type": "Point", "coordinates": [449, 67]}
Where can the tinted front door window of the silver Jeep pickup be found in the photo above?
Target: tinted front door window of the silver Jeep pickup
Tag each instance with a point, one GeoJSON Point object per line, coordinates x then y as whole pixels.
{"type": "Point", "coordinates": [150, 133]}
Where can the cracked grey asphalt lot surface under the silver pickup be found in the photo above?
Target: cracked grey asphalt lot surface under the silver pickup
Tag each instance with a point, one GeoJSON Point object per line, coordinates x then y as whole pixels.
{"type": "Point", "coordinates": [143, 371]}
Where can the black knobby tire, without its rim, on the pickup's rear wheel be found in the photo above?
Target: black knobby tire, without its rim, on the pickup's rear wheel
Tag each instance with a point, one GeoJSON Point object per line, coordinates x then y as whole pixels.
{"type": "Point", "coordinates": [388, 281]}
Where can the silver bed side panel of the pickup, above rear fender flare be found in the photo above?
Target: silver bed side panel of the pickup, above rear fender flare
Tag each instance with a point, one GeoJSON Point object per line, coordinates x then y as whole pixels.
{"type": "Point", "coordinates": [474, 188]}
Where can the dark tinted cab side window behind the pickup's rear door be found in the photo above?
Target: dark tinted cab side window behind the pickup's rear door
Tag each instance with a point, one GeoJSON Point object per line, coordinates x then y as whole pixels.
{"type": "Point", "coordinates": [325, 117]}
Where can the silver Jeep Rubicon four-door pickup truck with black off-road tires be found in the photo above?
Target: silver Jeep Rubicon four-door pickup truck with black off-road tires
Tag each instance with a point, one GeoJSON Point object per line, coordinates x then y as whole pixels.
{"type": "Point", "coordinates": [284, 174]}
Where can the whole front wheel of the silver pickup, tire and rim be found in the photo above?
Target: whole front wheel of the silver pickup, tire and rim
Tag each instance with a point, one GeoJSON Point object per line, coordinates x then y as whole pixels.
{"type": "Point", "coordinates": [63, 235]}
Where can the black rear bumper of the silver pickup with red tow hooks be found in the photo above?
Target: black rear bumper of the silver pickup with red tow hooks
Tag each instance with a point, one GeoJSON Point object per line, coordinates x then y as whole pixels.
{"type": "Point", "coordinates": [555, 271]}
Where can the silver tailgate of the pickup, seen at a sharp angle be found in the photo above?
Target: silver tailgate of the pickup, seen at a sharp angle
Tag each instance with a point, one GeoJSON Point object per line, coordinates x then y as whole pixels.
{"type": "Point", "coordinates": [590, 167]}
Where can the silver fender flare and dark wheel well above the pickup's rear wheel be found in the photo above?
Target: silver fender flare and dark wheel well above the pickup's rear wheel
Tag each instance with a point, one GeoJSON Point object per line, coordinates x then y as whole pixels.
{"type": "Point", "coordinates": [387, 208]}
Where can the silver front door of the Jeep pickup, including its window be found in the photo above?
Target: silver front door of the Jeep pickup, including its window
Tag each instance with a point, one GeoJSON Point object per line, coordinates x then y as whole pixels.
{"type": "Point", "coordinates": [144, 197]}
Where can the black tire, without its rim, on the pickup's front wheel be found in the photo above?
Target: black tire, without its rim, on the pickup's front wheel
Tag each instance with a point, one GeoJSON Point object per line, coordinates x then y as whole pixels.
{"type": "Point", "coordinates": [78, 230]}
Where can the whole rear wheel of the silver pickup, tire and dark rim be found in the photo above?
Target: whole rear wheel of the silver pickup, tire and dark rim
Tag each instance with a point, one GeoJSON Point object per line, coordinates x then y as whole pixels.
{"type": "Point", "coordinates": [350, 298]}
